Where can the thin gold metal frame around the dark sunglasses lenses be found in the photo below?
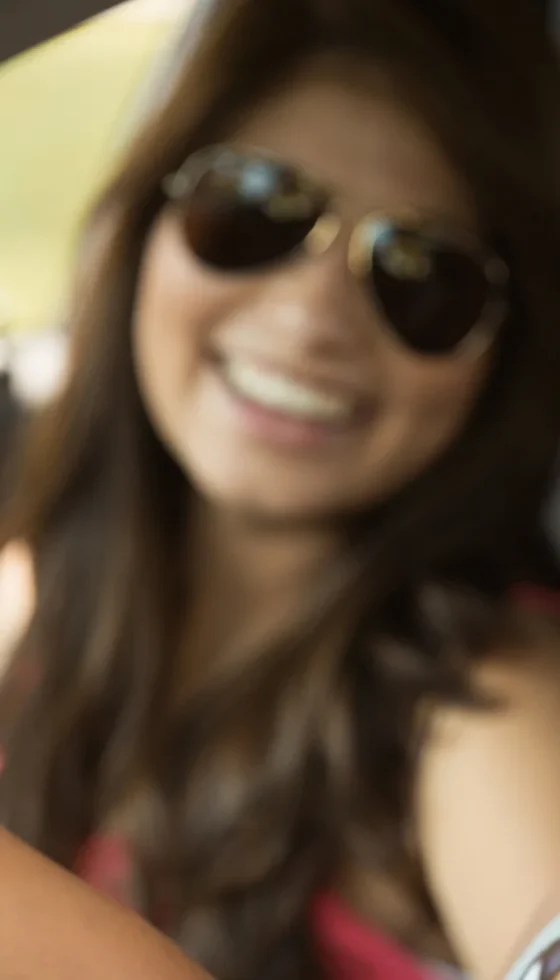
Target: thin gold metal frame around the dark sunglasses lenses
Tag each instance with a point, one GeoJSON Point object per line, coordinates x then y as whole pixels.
{"type": "Point", "coordinates": [365, 234]}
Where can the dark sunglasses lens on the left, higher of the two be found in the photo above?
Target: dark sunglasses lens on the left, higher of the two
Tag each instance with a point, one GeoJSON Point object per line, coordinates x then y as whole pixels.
{"type": "Point", "coordinates": [247, 212]}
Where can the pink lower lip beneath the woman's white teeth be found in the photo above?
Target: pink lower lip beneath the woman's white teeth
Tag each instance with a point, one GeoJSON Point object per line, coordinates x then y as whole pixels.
{"type": "Point", "coordinates": [284, 430]}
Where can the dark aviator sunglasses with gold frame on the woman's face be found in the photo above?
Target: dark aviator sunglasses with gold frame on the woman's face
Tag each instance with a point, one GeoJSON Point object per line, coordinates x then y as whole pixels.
{"type": "Point", "coordinates": [242, 210]}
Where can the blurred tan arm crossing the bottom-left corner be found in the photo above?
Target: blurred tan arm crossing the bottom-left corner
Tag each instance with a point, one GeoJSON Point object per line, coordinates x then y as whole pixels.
{"type": "Point", "coordinates": [53, 927]}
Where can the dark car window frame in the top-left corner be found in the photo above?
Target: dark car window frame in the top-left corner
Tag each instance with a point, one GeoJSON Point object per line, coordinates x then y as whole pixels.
{"type": "Point", "coordinates": [24, 23]}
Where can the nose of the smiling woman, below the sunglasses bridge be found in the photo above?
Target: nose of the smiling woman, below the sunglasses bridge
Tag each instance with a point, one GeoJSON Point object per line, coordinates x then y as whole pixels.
{"type": "Point", "coordinates": [318, 306]}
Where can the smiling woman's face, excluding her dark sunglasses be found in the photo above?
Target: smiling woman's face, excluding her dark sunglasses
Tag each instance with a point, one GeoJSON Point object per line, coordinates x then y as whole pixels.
{"type": "Point", "coordinates": [305, 330]}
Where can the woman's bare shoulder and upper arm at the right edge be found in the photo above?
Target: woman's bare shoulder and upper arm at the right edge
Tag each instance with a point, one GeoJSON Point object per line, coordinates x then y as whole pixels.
{"type": "Point", "coordinates": [488, 803]}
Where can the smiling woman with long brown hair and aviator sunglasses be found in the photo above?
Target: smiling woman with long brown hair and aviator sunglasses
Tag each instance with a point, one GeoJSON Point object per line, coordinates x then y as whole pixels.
{"type": "Point", "coordinates": [277, 525]}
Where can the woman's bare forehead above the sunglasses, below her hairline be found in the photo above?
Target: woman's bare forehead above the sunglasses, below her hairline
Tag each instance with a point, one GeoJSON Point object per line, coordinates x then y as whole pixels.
{"type": "Point", "coordinates": [361, 139]}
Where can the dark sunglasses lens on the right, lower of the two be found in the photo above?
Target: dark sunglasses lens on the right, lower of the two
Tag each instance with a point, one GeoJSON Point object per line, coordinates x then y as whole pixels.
{"type": "Point", "coordinates": [431, 292]}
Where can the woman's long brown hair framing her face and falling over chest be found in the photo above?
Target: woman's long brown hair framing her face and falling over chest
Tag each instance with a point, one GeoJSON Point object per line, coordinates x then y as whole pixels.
{"type": "Point", "coordinates": [294, 768]}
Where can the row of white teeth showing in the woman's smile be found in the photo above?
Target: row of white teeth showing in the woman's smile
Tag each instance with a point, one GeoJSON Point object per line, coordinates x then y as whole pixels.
{"type": "Point", "coordinates": [281, 393]}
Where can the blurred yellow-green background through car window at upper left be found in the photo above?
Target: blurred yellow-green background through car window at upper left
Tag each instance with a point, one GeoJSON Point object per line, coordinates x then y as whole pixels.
{"type": "Point", "coordinates": [62, 110]}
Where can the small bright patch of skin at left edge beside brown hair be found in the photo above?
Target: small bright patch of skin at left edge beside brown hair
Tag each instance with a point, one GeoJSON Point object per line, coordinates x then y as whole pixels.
{"type": "Point", "coordinates": [17, 598]}
